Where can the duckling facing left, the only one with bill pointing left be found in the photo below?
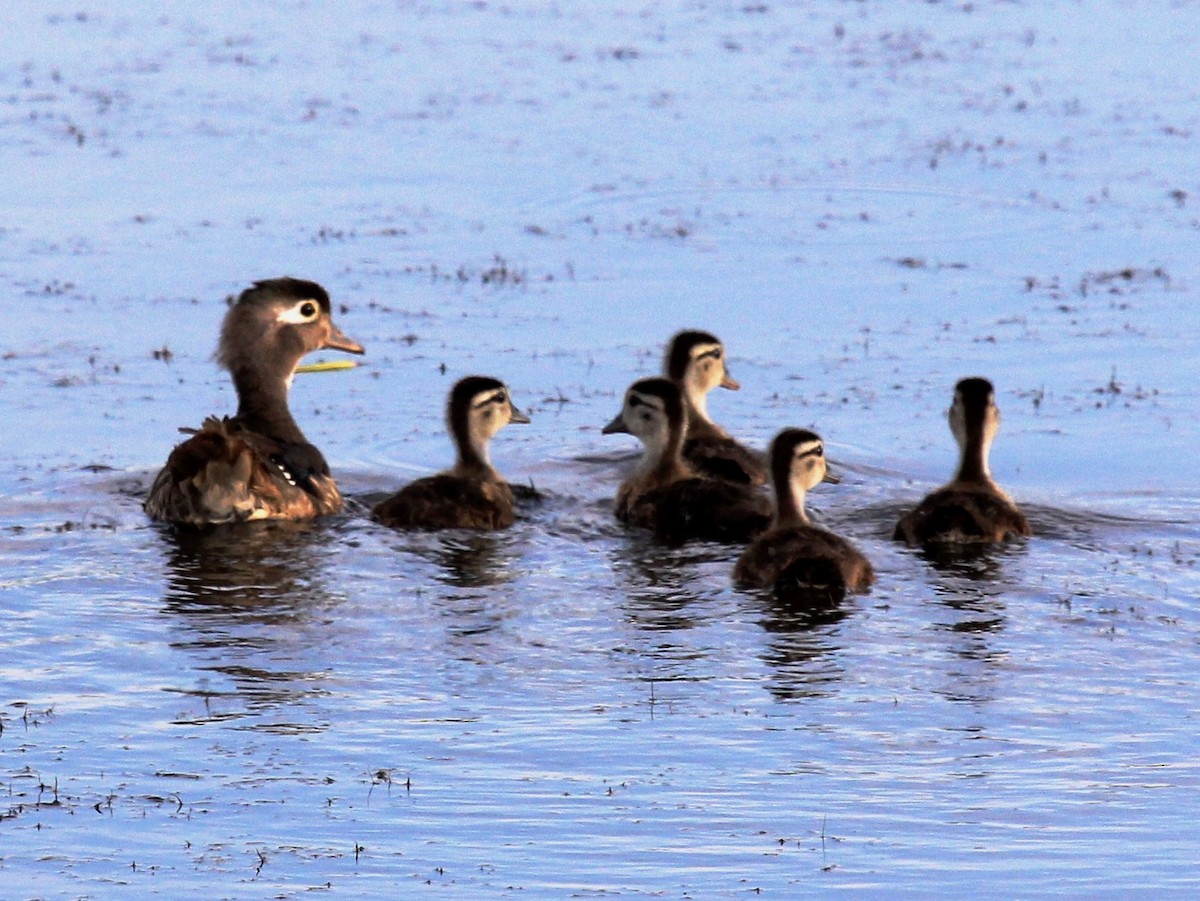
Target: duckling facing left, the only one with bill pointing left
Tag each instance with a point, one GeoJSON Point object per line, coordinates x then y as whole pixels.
{"type": "Point", "coordinates": [664, 494]}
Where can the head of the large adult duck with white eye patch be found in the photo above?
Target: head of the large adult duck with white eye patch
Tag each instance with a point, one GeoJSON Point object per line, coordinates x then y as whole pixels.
{"type": "Point", "coordinates": [274, 325]}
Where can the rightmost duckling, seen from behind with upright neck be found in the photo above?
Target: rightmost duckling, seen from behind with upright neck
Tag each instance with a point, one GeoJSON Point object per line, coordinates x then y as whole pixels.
{"type": "Point", "coordinates": [971, 509]}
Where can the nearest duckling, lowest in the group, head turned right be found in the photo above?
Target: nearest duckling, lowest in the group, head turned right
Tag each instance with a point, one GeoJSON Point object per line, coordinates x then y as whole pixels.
{"type": "Point", "coordinates": [793, 551]}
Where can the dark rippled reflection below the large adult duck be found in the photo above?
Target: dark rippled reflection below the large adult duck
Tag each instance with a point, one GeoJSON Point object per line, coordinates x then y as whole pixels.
{"type": "Point", "coordinates": [250, 602]}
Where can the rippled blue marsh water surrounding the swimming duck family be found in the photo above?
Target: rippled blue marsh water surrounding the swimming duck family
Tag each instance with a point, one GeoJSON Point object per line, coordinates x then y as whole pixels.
{"type": "Point", "coordinates": [866, 203]}
